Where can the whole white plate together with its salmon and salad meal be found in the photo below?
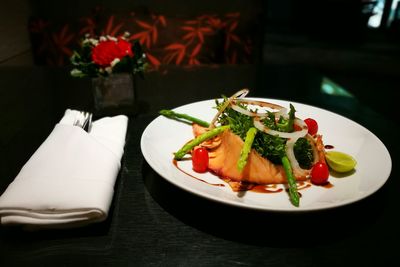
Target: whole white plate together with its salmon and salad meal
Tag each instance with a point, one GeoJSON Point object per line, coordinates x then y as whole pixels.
{"type": "Point", "coordinates": [263, 152]}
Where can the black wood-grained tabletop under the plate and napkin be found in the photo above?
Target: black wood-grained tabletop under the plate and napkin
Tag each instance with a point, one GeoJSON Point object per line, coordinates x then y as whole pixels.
{"type": "Point", "coordinates": [154, 223]}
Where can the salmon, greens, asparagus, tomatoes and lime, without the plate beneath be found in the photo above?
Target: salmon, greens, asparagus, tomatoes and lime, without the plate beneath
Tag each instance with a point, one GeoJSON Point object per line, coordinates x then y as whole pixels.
{"type": "Point", "coordinates": [259, 143]}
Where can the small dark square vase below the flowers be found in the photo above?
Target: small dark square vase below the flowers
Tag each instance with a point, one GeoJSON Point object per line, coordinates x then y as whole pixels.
{"type": "Point", "coordinates": [114, 94]}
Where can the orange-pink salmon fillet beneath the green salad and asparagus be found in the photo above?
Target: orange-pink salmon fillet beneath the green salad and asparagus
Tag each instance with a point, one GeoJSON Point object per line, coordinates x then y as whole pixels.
{"type": "Point", "coordinates": [225, 154]}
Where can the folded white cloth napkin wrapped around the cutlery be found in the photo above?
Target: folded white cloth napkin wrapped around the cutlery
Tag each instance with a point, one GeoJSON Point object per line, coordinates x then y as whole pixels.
{"type": "Point", "coordinates": [69, 181]}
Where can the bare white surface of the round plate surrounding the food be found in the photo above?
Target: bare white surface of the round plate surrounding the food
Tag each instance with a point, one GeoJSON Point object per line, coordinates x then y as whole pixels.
{"type": "Point", "coordinates": [164, 136]}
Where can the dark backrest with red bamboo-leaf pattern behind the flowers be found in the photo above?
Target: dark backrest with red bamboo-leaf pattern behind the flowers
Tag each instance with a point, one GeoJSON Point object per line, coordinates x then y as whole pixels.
{"type": "Point", "coordinates": [203, 39]}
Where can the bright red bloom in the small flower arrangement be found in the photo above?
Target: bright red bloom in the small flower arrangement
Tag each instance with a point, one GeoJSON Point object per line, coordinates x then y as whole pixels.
{"type": "Point", "coordinates": [106, 51]}
